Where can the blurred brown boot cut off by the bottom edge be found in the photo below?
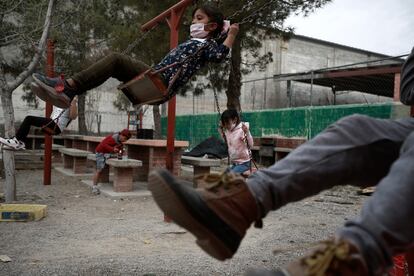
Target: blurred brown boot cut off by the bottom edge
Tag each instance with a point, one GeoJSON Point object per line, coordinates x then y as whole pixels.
{"type": "Point", "coordinates": [332, 257]}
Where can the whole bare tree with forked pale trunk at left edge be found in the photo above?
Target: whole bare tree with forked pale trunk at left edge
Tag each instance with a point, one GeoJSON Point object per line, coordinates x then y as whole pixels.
{"type": "Point", "coordinates": [8, 85]}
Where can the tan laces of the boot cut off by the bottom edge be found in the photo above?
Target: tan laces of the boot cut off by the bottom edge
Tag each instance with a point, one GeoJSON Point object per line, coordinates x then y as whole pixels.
{"type": "Point", "coordinates": [322, 259]}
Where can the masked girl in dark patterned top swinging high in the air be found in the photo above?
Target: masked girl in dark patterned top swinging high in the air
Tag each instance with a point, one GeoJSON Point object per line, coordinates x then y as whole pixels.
{"type": "Point", "coordinates": [207, 24]}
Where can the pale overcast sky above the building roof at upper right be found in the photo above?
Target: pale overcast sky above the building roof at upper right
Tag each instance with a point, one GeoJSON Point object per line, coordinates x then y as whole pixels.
{"type": "Point", "coordinates": [383, 26]}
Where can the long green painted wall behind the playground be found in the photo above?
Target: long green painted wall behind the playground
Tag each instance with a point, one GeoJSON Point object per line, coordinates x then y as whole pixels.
{"type": "Point", "coordinates": [289, 122]}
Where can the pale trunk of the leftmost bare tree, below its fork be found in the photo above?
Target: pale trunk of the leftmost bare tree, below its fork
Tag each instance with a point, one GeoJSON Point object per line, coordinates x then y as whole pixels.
{"type": "Point", "coordinates": [8, 155]}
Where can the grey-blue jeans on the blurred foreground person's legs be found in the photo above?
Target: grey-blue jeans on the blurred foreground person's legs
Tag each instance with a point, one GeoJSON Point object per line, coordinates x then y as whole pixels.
{"type": "Point", "coordinates": [357, 150]}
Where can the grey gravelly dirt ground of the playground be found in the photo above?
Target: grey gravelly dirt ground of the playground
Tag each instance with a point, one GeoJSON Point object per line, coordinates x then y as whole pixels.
{"type": "Point", "coordinates": [95, 235]}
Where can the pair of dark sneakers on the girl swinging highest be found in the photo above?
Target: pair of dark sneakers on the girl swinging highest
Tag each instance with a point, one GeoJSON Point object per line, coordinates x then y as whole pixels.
{"type": "Point", "coordinates": [53, 90]}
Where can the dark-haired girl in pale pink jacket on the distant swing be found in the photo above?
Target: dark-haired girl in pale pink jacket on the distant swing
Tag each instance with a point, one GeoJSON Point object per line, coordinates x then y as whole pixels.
{"type": "Point", "coordinates": [237, 135]}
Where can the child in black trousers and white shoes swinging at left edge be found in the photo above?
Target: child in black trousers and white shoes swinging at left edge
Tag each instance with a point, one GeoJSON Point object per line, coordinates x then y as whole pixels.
{"type": "Point", "coordinates": [58, 121]}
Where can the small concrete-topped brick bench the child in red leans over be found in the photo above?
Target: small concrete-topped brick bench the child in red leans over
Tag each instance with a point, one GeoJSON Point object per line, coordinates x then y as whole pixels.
{"type": "Point", "coordinates": [123, 173]}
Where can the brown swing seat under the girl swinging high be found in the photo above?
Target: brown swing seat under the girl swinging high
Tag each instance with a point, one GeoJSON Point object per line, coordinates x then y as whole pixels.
{"type": "Point", "coordinates": [146, 88]}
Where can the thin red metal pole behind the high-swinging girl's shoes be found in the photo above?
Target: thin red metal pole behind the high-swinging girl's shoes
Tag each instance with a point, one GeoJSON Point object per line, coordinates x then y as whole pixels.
{"type": "Point", "coordinates": [50, 72]}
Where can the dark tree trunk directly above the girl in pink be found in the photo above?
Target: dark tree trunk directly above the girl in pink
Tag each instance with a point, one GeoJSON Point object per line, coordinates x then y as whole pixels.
{"type": "Point", "coordinates": [234, 83]}
